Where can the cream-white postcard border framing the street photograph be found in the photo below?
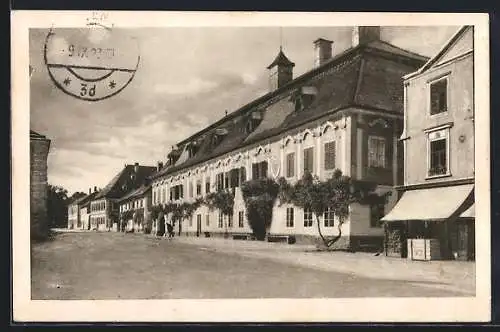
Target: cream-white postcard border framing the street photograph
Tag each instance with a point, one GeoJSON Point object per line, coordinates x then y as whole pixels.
{"type": "Point", "coordinates": [236, 310]}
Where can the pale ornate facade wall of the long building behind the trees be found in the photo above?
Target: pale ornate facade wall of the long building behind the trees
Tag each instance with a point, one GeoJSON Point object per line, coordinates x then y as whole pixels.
{"type": "Point", "coordinates": [349, 147]}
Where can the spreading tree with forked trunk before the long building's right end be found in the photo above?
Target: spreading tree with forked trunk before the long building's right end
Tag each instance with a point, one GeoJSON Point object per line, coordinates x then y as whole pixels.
{"type": "Point", "coordinates": [336, 194]}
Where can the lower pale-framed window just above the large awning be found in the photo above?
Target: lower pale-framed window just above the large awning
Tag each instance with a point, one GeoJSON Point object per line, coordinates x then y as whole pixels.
{"type": "Point", "coordinates": [438, 153]}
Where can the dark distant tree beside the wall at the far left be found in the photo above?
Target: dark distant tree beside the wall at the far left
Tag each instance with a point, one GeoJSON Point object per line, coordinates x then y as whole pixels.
{"type": "Point", "coordinates": [57, 206]}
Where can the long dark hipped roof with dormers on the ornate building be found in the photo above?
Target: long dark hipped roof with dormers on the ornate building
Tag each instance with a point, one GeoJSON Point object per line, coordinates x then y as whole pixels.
{"type": "Point", "coordinates": [358, 77]}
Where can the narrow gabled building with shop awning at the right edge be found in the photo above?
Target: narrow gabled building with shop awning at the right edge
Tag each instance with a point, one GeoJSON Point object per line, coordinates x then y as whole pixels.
{"type": "Point", "coordinates": [437, 196]}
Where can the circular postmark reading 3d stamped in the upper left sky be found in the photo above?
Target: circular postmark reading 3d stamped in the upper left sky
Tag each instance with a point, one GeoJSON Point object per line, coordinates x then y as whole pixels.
{"type": "Point", "coordinates": [91, 63]}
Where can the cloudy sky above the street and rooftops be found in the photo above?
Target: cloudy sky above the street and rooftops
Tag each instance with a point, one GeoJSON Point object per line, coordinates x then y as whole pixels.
{"type": "Point", "coordinates": [187, 78]}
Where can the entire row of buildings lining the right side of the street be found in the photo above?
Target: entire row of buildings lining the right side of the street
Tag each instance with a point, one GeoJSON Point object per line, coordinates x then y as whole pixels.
{"type": "Point", "coordinates": [375, 111]}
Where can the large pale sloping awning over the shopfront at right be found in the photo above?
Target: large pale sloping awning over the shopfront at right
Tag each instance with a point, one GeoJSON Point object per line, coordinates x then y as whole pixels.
{"type": "Point", "coordinates": [430, 204]}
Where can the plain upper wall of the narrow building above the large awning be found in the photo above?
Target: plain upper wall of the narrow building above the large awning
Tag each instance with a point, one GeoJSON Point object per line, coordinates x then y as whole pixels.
{"type": "Point", "coordinates": [458, 117]}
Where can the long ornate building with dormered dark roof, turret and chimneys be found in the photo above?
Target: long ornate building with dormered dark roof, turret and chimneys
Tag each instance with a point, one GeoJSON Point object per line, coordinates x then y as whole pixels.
{"type": "Point", "coordinates": [346, 113]}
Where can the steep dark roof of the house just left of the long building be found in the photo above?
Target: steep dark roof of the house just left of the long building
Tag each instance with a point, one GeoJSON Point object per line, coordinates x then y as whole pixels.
{"type": "Point", "coordinates": [114, 189]}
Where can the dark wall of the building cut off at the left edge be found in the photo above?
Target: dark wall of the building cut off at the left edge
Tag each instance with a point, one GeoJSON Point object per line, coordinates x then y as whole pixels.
{"type": "Point", "coordinates": [39, 150]}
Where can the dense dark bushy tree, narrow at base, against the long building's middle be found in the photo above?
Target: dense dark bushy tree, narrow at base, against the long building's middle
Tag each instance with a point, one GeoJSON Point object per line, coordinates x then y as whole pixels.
{"type": "Point", "coordinates": [259, 197]}
